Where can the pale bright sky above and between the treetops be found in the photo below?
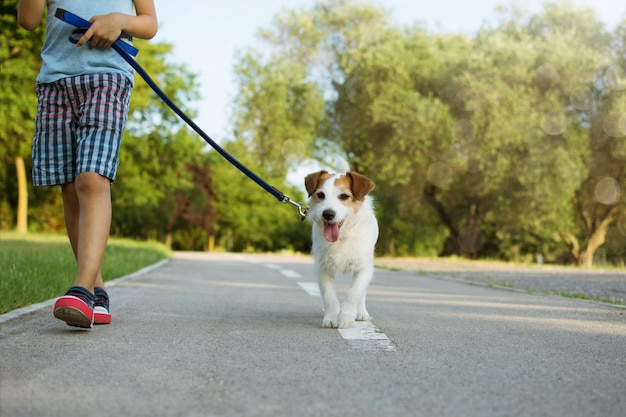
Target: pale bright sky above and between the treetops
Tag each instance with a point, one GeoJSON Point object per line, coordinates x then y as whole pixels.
{"type": "Point", "coordinates": [207, 33]}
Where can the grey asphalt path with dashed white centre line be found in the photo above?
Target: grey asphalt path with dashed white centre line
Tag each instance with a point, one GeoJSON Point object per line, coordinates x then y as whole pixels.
{"type": "Point", "coordinates": [240, 335]}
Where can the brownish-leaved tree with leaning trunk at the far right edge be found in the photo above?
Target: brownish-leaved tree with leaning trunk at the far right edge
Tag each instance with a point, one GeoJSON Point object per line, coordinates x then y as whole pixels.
{"type": "Point", "coordinates": [601, 198]}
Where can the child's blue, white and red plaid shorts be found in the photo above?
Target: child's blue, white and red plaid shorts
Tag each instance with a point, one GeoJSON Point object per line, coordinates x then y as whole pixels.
{"type": "Point", "coordinates": [79, 126]}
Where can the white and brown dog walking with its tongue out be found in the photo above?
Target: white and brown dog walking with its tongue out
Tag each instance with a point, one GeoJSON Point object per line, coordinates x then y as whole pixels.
{"type": "Point", "coordinates": [344, 234]}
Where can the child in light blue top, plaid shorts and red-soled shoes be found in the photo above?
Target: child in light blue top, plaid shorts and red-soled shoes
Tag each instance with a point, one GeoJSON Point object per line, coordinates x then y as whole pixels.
{"type": "Point", "coordinates": [83, 92]}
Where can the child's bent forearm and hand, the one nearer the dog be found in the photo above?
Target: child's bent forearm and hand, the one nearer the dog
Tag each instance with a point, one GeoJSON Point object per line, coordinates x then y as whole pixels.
{"type": "Point", "coordinates": [106, 28]}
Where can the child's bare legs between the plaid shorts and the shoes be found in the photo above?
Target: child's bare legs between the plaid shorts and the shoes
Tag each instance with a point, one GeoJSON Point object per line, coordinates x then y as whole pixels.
{"type": "Point", "coordinates": [87, 209]}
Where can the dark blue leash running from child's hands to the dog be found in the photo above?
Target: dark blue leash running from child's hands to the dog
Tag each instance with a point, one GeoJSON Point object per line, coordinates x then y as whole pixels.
{"type": "Point", "coordinates": [127, 52]}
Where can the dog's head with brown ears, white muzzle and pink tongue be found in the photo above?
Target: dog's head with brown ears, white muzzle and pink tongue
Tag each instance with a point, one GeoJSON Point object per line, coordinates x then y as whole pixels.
{"type": "Point", "coordinates": [334, 198]}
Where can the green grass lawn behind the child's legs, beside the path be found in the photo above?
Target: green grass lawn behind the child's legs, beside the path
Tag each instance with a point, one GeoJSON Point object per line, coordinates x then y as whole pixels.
{"type": "Point", "coordinates": [37, 267]}
